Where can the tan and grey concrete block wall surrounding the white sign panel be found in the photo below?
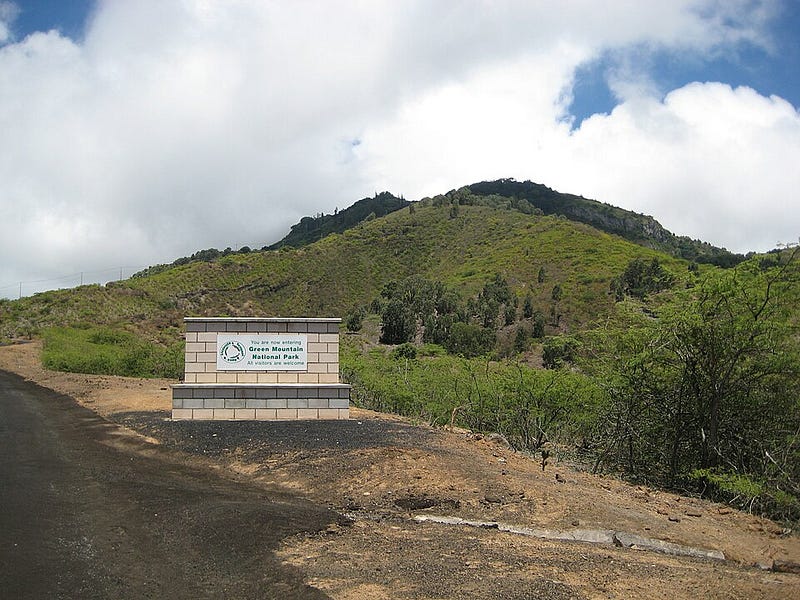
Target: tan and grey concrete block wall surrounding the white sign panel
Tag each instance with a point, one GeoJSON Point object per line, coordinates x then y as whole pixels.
{"type": "Point", "coordinates": [313, 393]}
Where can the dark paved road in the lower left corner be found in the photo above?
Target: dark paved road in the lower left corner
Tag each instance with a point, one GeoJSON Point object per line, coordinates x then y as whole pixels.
{"type": "Point", "coordinates": [87, 512]}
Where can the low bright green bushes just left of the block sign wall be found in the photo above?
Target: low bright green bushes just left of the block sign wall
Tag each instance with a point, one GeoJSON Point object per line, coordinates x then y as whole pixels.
{"type": "Point", "coordinates": [105, 351]}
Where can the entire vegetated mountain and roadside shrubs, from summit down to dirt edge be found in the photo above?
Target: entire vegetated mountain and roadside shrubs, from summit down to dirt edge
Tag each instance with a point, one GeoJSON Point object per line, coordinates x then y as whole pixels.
{"type": "Point", "coordinates": [484, 308]}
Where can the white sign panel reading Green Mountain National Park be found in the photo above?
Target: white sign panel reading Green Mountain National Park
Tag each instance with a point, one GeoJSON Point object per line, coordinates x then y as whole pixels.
{"type": "Point", "coordinates": [262, 352]}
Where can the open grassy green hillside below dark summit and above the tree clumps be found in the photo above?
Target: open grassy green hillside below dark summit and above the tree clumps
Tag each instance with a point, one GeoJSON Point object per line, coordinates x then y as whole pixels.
{"type": "Point", "coordinates": [342, 271]}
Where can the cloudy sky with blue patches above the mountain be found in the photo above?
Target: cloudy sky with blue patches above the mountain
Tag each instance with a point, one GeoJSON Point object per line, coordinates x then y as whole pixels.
{"type": "Point", "coordinates": [133, 132]}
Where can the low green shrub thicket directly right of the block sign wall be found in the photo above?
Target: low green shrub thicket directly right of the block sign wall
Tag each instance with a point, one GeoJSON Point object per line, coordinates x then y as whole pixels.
{"type": "Point", "coordinates": [529, 407]}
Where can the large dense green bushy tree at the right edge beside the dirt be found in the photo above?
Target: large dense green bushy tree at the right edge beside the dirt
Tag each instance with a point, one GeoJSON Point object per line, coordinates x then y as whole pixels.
{"type": "Point", "coordinates": [712, 384]}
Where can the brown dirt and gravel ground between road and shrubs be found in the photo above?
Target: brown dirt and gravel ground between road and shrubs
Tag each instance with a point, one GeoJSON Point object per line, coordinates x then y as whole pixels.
{"type": "Point", "coordinates": [383, 474]}
